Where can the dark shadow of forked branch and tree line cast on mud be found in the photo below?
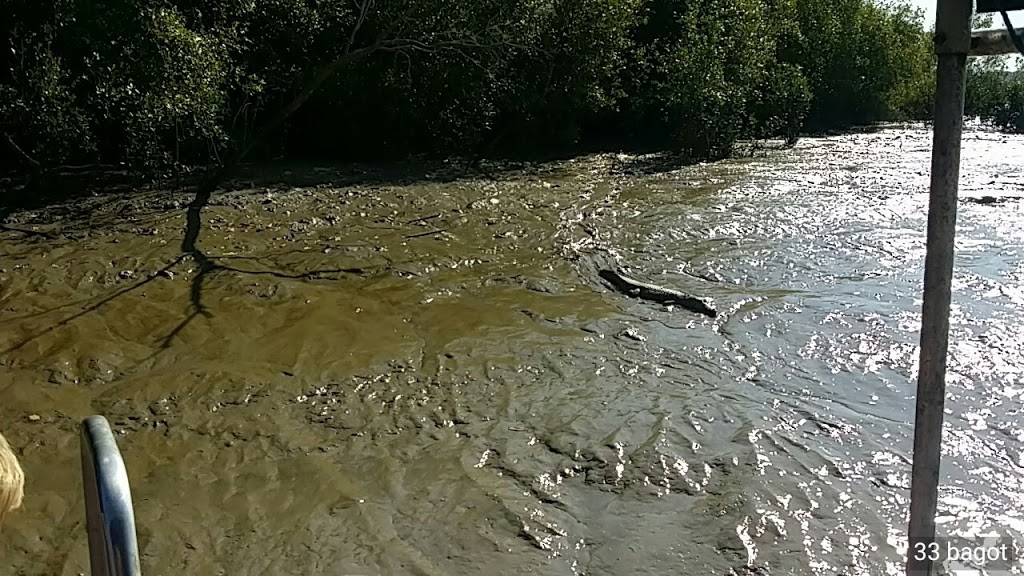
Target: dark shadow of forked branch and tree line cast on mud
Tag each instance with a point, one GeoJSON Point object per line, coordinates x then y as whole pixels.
{"type": "Point", "coordinates": [73, 204]}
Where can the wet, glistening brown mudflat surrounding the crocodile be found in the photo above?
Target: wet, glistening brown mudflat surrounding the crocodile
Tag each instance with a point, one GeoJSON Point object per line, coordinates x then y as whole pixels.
{"type": "Point", "coordinates": [432, 380]}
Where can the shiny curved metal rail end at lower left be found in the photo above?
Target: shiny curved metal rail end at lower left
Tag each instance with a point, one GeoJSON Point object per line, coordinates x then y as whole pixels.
{"type": "Point", "coordinates": [109, 513]}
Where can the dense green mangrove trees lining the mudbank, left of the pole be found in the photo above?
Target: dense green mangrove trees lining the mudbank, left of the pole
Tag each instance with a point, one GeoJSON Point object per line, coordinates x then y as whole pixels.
{"type": "Point", "coordinates": [159, 84]}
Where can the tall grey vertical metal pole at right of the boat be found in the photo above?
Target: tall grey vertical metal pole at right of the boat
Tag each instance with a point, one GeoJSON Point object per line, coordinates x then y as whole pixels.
{"type": "Point", "coordinates": [953, 44]}
